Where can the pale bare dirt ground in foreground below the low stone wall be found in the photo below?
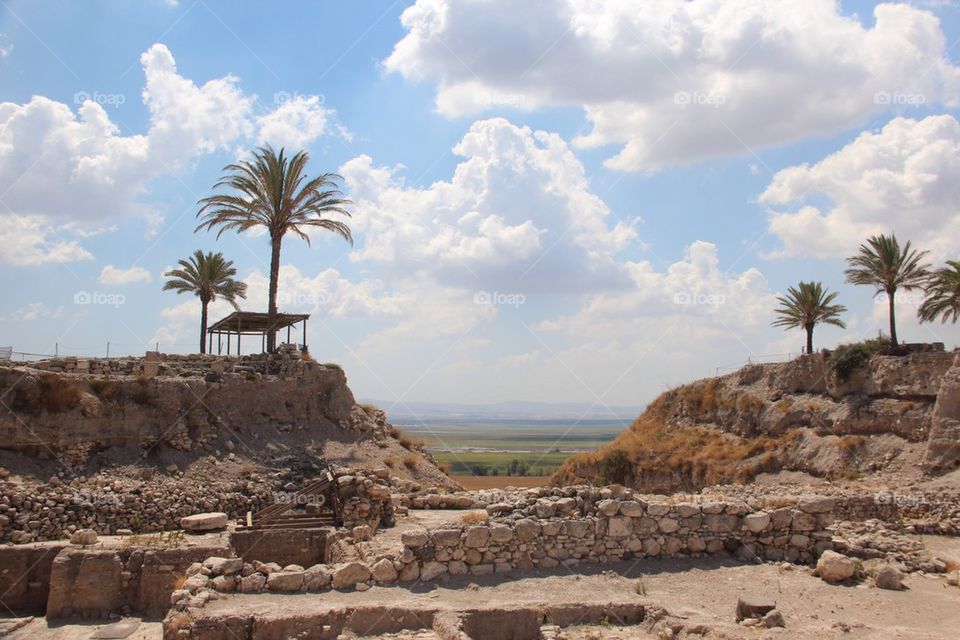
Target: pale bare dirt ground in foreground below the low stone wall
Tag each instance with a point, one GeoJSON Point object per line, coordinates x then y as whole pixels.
{"type": "Point", "coordinates": [698, 595]}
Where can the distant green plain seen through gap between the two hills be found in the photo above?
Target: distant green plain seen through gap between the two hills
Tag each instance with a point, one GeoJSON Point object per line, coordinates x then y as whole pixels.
{"type": "Point", "coordinates": [511, 447]}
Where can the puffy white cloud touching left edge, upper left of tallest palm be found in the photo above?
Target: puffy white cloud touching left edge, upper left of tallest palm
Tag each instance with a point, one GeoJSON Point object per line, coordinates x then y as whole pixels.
{"type": "Point", "coordinates": [76, 168]}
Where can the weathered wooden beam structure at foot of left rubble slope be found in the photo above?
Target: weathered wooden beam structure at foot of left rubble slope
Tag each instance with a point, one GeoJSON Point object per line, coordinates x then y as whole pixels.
{"type": "Point", "coordinates": [293, 513]}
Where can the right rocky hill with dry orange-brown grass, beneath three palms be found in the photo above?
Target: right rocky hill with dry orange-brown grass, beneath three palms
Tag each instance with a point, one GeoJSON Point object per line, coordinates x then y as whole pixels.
{"type": "Point", "coordinates": [882, 416]}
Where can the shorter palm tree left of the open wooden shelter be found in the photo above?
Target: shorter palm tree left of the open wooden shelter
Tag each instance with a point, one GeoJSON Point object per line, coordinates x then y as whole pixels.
{"type": "Point", "coordinates": [207, 276]}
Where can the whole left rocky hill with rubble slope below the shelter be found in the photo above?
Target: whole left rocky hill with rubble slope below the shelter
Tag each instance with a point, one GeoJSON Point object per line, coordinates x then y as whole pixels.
{"type": "Point", "coordinates": [167, 436]}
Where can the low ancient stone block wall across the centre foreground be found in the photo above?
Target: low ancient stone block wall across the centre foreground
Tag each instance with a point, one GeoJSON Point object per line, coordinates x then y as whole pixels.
{"type": "Point", "coordinates": [570, 530]}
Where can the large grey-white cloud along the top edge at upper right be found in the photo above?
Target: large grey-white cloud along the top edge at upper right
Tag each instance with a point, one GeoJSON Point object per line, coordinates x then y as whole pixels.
{"type": "Point", "coordinates": [676, 81]}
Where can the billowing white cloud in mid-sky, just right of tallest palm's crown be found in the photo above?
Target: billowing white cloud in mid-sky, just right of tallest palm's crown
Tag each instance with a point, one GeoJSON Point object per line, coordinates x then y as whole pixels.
{"type": "Point", "coordinates": [517, 214]}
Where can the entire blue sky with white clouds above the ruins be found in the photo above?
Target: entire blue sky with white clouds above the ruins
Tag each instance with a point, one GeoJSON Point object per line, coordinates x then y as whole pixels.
{"type": "Point", "coordinates": [553, 201]}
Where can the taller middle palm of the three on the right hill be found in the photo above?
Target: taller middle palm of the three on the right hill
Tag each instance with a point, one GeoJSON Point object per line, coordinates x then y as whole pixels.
{"type": "Point", "coordinates": [882, 264]}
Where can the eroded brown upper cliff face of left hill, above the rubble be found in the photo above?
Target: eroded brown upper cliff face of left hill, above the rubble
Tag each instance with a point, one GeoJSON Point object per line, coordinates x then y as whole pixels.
{"type": "Point", "coordinates": [72, 415]}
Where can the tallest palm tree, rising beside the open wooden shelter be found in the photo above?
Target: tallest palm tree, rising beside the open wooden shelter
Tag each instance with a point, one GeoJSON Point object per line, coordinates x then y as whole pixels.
{"type": "Point", "coordinates": [274, 192]}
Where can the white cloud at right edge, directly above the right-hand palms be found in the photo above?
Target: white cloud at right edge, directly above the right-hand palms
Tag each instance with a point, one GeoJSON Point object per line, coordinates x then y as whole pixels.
{"type": "Point", "coordinates": [904, 178]}
